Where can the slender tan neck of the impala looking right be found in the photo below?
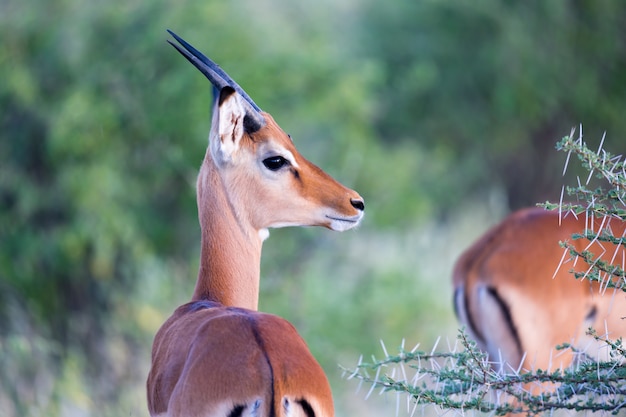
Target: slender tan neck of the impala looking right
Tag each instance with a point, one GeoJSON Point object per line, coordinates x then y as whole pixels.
{"type": "Point", "coordinates": [230, 259]}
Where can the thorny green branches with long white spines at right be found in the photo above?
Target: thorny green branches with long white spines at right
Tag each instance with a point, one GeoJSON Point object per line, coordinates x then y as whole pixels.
{"type": "Point", "coordinates": [464, 379]}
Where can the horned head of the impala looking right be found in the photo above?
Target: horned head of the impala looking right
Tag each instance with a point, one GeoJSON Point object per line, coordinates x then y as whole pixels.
{"type": "Point", "coordinates": [268, 182]}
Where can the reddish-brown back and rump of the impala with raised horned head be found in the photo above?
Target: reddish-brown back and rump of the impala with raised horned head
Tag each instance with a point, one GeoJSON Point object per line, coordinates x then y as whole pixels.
{"type": "Point", "coordinates": [223, 357]}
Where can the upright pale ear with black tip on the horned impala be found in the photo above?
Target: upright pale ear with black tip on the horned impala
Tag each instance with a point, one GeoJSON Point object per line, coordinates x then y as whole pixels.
{"type": "Point", "coordinates": [228, 121]}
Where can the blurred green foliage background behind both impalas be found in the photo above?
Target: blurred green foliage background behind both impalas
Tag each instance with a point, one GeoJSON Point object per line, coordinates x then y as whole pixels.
{"type": "Point", "coordinates": [442, 114]}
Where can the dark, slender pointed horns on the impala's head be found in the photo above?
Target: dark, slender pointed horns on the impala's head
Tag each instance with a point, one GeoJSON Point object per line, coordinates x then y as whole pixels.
{"type": "Point", "coordinates": [220, 79]}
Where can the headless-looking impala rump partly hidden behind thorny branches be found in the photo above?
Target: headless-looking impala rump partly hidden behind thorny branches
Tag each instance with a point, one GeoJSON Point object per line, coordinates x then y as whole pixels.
{"type": "Point", "coordinates": [514, 292]}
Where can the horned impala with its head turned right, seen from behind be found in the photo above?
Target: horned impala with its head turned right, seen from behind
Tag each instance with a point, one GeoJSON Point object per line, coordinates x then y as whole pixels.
{"type": "Point", "coordinates": [217, 355]}
